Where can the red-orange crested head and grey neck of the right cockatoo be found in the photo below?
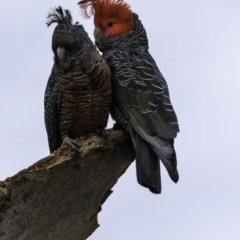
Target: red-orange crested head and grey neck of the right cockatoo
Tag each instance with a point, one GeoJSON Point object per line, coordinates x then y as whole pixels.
{"type": "Point", "coordinates": [116, 26]}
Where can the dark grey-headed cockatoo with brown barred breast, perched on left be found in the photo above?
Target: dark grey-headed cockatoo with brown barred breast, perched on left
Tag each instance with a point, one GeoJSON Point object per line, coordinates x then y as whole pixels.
{"type": "Point", "coordinates": [78, 93]}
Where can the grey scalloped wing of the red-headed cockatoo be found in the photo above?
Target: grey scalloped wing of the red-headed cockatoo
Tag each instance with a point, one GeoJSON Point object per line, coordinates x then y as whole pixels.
{"type": "Point", "coordinates": [143, 93]}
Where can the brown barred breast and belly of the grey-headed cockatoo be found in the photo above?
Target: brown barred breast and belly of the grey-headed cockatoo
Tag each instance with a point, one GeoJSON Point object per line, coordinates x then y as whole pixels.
{"type": "Point", "coordinates": [85, 98]}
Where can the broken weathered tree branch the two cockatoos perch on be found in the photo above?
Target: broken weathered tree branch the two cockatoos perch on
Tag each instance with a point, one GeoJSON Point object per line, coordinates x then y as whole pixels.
{"type": "Point", "coordinates": [60, 196]}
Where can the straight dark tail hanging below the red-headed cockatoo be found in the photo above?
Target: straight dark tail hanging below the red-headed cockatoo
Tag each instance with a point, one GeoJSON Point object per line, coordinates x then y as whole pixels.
{"type": "Point", "coordinates": [147, 166]}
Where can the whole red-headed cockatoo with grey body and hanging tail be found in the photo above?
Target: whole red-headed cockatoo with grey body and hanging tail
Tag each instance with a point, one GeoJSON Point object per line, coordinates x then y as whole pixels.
{"type": "Point", "coordinates": [140, 92]}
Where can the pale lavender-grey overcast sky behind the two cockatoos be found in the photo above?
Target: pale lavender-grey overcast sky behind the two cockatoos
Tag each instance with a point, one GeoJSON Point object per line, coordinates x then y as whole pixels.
{"type": "Point", "coordinates": [196, 45]}
